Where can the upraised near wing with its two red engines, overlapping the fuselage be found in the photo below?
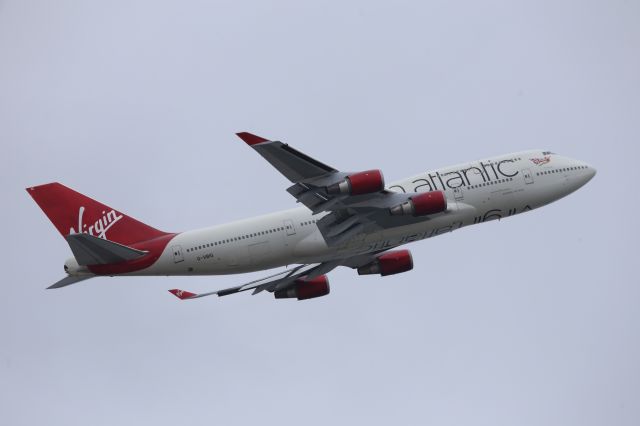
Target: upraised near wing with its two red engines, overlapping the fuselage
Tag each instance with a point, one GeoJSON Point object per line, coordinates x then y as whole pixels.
{"type": "Point", "coordinates": [356, 202]}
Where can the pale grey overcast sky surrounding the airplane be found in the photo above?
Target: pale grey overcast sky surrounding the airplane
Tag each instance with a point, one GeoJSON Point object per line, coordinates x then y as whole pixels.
{"type": "Point", "coordinates": [533, 320]}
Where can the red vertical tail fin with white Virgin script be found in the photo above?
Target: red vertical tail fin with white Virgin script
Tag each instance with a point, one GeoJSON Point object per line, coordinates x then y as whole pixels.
{"type": "Point", "coordinates": [72, 212]}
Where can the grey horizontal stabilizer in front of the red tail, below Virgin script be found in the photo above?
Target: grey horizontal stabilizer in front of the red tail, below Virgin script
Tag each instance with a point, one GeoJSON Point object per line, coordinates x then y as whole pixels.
{"type": "Point", "coordinates": [90, 250]}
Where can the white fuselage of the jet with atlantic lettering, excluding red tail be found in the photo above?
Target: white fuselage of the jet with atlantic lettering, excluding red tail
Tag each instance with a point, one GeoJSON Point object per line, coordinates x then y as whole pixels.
{"type": "Point", "coordinates": [476, 192]}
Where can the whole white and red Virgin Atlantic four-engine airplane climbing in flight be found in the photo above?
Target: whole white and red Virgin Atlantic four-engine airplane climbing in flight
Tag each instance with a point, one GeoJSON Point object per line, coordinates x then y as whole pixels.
{"type": "Point", "coordinates": [350, 219]}
